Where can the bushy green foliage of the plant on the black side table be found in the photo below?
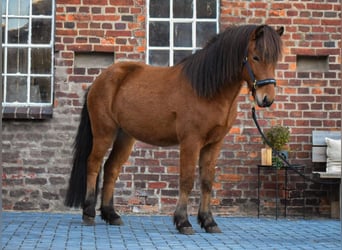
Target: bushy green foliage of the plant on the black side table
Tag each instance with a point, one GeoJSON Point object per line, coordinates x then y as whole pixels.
{"type": "Point", "coordinates": [278, 136]}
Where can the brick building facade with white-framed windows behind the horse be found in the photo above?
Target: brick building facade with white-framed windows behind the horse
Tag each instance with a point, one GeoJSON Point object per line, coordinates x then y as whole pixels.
{"type": "Point", "coordinates": [79, 38]}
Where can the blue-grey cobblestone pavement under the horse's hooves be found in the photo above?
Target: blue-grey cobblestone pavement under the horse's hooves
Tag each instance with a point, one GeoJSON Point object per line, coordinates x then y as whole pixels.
{"type": "Point", "coordinates": [65, 231]}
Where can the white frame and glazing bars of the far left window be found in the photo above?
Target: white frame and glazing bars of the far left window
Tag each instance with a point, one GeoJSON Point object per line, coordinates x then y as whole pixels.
{"type": "Point", "coordinates": [29, 46]}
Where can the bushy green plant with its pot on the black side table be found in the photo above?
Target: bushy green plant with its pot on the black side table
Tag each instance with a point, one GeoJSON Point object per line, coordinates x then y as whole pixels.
{"type": "Point", "coordinates": [278, 136]}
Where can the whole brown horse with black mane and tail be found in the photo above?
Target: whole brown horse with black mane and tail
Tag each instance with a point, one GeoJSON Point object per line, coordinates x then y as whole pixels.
{"type": "Point", "coordinates": [193, 104]}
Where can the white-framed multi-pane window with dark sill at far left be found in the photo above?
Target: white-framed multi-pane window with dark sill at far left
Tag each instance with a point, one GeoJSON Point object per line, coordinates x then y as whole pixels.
{"type": "Point", "coordinates": [27, 51]}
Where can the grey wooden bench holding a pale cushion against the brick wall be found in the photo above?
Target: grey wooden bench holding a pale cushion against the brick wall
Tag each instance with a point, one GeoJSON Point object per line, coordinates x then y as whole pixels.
{"type": "Point", "coordinates": [319, 155]}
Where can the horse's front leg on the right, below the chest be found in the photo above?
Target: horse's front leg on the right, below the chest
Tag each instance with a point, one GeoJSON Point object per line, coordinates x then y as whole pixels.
{"type": "Point", "coordinates": [207, 164]}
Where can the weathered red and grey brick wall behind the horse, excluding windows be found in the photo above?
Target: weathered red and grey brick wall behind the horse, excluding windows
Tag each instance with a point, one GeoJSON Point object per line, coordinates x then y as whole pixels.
{"type": "Point", "coordinates": [37, 154]}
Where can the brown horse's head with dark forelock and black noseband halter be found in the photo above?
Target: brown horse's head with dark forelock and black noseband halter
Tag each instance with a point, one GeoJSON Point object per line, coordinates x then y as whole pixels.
{"type": "Point", "coordinates": [262, 54]}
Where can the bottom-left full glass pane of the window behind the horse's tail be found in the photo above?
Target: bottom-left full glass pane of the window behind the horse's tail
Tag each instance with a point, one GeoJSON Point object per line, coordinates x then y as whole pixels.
{"type": "Point", "coordinates": [16, 89]}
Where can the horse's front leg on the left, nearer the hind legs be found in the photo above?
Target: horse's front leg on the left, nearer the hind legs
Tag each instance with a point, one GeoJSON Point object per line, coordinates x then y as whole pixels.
{"type": "Point", "coordinates": [189, 153]}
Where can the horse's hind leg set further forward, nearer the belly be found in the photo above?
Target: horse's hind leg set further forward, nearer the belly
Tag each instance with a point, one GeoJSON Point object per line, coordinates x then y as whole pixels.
{"type": "Point", "coordinates": [120, 152]}
